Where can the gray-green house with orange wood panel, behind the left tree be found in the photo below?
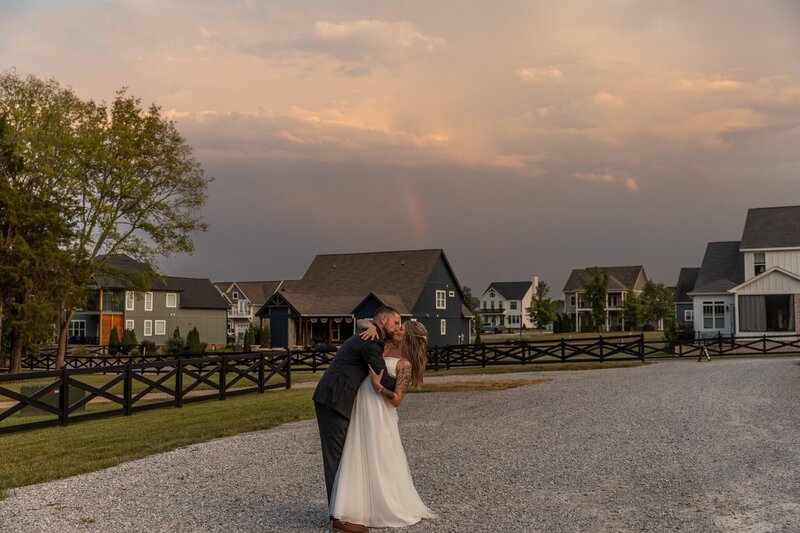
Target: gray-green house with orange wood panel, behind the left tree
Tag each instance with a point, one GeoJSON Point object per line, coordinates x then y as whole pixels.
{"type": "Point", "coordinates": [154, 314]}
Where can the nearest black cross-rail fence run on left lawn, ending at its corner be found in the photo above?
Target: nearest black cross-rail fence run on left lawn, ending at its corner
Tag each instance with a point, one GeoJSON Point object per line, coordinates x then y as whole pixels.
{"type": "Point", "coordinates": [61, 396]}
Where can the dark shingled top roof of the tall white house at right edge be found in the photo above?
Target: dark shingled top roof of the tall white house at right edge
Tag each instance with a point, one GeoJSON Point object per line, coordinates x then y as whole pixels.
{"type": "Point", "coordinates": [771, 227]}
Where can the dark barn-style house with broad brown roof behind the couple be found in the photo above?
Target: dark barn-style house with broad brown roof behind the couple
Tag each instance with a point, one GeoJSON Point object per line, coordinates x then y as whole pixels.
{"type": "Point", "coordinates": [339, 289]}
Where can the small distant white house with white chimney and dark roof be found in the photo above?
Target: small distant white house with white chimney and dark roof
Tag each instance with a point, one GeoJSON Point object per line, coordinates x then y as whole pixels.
{"type": "Point", "coordinates": [506, 303]}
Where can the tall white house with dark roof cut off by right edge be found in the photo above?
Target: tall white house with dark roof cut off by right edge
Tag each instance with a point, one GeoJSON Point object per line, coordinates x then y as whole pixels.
{"type": "Point", "coordinates": [768, 297]}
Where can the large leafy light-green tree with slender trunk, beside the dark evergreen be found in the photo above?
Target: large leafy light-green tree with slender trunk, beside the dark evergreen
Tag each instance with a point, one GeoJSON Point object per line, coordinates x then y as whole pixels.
{"type": "Point", "coordinates": [124, 175]}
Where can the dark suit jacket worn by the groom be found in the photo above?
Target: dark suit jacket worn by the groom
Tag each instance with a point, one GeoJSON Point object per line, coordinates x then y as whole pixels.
{"type": "Point", "coordinates": [339, 385]}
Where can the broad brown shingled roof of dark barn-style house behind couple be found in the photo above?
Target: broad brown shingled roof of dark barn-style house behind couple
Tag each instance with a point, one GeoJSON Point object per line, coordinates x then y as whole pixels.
{"type": "Point", "coordinates": [338, 283]}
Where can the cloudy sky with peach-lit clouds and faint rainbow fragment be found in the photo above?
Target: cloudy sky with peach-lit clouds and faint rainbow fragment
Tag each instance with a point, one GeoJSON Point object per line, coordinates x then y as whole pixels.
{"type": "Point", "coordinates": [522, 137]}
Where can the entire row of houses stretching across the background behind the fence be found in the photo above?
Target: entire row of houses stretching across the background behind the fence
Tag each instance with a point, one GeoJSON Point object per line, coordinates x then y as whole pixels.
{"type": "Point", "coordinates": [750, 286]}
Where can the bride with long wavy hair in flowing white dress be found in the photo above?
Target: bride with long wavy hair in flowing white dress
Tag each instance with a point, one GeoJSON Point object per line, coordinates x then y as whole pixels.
{"type": "Point", "coordinates": [373, 485]}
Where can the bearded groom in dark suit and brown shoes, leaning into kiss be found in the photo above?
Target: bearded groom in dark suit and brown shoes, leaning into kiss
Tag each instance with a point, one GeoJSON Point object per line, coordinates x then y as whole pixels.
{"type": "Point", "coordinates": [336, 393]}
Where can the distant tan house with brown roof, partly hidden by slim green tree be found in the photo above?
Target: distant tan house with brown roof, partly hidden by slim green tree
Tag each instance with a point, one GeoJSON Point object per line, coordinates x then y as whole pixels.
{"type": "Point", "coordinates": [622, 280]}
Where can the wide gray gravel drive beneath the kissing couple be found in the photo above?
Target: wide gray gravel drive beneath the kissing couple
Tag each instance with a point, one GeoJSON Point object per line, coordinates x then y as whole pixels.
{"type": "Point", "coordinates": [682, 445]}
